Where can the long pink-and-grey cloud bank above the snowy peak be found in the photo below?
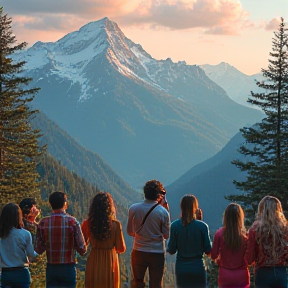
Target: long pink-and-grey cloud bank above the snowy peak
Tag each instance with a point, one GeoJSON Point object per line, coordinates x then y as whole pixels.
{"type": "Point", "coordinates": [214, 16]}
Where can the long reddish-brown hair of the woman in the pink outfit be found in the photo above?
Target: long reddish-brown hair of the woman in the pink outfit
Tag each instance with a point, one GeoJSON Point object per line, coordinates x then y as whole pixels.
{"type": "Point", "coordinates": [234, 230]}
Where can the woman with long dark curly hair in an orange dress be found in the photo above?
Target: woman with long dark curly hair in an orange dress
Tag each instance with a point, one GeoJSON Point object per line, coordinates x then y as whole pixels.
{"type": "Point", "coordinates": [104, 233]}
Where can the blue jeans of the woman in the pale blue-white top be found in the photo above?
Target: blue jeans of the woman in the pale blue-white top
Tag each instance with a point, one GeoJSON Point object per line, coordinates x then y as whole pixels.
{"type": "Point", "coordinates": [19, 278]}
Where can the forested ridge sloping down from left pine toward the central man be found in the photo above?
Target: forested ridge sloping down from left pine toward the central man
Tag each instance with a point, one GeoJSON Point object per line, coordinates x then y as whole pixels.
{"type": "Point", "coordinates": [86, 164]}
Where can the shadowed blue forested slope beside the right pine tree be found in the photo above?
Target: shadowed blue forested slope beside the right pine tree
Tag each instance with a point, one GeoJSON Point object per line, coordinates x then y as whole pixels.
{"type": "Point", "coordinates": [210, 181]}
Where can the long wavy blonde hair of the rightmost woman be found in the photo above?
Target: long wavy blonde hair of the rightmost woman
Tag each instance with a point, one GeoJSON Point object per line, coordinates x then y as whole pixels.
{"type": "Point", "coordinates": [271, 222]}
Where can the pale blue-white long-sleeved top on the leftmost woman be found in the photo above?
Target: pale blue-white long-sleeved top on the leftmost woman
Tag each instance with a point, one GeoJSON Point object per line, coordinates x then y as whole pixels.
{"type": "Point", "coordinates": [16, 248]}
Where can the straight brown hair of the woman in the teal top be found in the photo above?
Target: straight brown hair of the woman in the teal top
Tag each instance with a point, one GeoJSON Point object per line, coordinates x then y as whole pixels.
{"type": "Point", "coordinates": [188, 205]}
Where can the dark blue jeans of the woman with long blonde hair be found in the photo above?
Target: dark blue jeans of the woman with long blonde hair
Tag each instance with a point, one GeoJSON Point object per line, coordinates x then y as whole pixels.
{"type": "Point", "coordinates": [271, 277]}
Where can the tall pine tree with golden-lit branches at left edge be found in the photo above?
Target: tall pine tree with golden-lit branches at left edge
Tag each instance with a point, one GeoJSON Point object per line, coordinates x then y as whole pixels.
{"type": "Point", "coordinates": [19, 147]}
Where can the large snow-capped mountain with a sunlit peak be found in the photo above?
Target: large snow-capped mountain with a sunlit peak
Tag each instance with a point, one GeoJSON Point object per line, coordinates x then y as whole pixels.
{"type": "Point", "coordinates": [146, 118]}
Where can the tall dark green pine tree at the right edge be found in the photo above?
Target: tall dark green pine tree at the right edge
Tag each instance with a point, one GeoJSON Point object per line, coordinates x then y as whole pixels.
{"type": "Point", "coordinates": [266, 145]}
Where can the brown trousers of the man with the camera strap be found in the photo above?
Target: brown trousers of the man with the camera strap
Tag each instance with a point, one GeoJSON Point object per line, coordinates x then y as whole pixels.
{"type": "Point", "coordinates": [140, 261]}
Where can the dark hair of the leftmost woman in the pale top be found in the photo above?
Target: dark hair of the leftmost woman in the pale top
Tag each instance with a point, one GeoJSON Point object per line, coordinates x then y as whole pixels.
{"type": "Point", "coordinates": [11, 217]}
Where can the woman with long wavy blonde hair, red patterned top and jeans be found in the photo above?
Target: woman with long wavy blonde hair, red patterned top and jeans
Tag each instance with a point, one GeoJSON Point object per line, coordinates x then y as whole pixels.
{"type": "Point", "coordinates": [267, 244]}
